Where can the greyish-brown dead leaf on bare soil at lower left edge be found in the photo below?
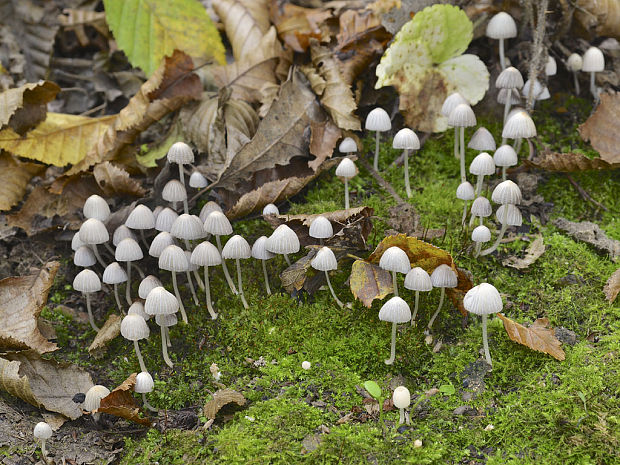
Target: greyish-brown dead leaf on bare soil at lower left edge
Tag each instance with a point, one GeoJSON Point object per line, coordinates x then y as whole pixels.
{"type": "Point", "coordinates": [44, 383]}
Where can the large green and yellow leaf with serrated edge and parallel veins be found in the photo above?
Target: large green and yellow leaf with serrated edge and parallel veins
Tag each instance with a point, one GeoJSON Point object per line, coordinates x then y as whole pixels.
{"type": "Point", "coordinates": [149, 30]}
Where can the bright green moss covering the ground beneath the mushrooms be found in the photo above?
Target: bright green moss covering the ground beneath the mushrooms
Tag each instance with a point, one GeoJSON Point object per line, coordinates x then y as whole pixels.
{"type": "Point", "coordinates": [533, 408]}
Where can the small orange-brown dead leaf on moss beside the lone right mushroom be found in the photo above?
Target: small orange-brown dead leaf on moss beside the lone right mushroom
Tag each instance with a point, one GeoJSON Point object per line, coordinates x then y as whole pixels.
{"type": "Point", "coordinates": [537, 337]}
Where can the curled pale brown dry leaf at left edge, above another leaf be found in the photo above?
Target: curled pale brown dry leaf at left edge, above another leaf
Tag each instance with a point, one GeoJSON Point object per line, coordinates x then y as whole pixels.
{"type": "Point", "coordinates": [21, 300]}
